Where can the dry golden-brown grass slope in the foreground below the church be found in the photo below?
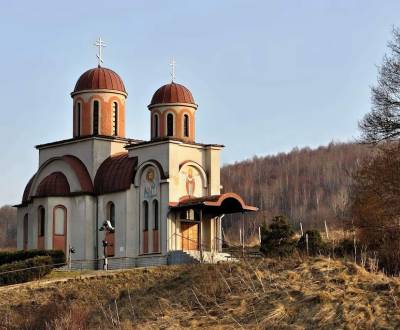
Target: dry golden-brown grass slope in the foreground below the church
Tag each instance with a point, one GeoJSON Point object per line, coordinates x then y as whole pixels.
{"type": "Point", "coordinates": [279, 294]}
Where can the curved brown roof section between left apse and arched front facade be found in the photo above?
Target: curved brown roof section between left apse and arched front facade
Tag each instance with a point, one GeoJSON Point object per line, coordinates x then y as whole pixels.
{"type": "Point", "coordinates": [116, 173]}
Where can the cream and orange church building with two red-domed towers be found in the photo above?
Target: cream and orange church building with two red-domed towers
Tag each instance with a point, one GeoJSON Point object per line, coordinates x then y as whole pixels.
{"type": "Point", "coordinates": [162, 197]}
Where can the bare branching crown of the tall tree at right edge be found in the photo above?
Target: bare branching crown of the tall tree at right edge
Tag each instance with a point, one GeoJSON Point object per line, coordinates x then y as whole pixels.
{"type": "Point", "coordinates": [383, 122]}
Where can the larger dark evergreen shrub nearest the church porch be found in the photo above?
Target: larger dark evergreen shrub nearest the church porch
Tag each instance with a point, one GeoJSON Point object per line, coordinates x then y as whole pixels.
{"type": "Point", "coordinates": [277, 239]}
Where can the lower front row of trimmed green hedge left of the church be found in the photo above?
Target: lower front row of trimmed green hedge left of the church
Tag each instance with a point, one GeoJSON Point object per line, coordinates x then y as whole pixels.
{"type": "Point", "coordinates": [9, 275]}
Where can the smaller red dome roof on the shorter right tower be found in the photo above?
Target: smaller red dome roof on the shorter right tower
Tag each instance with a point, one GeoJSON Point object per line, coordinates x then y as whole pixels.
{"type": "Point", "coordinates": [172, 93]}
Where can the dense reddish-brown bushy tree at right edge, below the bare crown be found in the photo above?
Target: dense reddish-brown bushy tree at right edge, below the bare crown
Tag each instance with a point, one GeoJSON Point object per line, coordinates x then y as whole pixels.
{"type": "Point", "coordinates": [375, 206]}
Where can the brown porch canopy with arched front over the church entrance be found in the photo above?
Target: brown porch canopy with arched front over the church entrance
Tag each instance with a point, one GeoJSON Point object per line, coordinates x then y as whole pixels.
{"type": "Point", "coordinates": [217, 204]}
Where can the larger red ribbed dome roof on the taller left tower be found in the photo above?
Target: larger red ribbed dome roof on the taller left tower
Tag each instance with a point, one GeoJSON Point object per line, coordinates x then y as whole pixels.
{"type": "Point", "coordinates": [99, 78]}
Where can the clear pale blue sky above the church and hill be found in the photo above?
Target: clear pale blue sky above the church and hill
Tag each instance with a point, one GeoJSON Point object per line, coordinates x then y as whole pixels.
{"type": "Point", "coordinates": [267, 75]}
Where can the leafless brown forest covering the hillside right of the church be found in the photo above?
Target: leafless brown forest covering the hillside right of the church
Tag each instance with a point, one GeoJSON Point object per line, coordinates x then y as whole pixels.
{"type": "Point", "coordinates": [307, 185]}
